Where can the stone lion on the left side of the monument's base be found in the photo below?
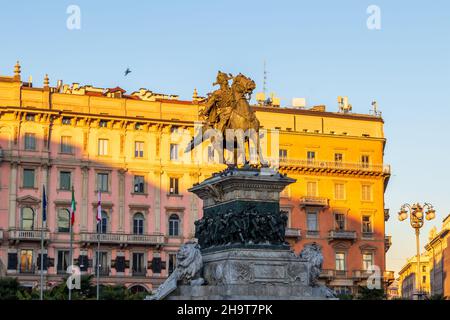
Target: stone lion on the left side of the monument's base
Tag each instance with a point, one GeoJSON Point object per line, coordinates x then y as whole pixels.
{"type": "Point", "coordinates": [188, 271]}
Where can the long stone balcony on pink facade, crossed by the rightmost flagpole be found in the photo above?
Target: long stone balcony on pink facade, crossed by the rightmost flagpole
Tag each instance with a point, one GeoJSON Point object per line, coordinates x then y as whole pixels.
{"type": "Point", "coordinates": [123, 239]}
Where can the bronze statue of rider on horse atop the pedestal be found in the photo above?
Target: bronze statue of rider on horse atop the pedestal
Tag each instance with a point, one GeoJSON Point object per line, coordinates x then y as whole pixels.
{"type": "Point", "coordinates": [228, 108]}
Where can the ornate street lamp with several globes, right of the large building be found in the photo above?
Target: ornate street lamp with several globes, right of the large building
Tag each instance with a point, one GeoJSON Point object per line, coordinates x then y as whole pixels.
{"type": "Point", "coordinates": [416, 212]}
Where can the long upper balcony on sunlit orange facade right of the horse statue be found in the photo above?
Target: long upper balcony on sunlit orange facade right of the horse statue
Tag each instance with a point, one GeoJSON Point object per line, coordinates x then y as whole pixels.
{"type": "Point", "coordinates": [334, 166]}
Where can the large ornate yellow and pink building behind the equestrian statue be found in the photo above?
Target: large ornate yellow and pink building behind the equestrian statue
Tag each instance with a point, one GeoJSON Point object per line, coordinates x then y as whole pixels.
{"type": "Point", "coordinates": [123, 145]}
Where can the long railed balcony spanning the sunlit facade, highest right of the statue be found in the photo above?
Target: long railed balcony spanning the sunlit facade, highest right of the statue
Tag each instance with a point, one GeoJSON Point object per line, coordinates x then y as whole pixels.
{"type": "Point", "coordinates": [334, 165]}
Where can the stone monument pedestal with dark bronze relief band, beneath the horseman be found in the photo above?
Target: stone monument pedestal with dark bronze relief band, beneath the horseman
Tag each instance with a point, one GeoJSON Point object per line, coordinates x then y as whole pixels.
{"type": "Point", "coordinates": [242, 241]}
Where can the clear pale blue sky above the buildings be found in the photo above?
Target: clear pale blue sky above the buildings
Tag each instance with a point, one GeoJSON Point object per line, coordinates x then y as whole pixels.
{"type": "Point", "coordinates": [313, 49]}
